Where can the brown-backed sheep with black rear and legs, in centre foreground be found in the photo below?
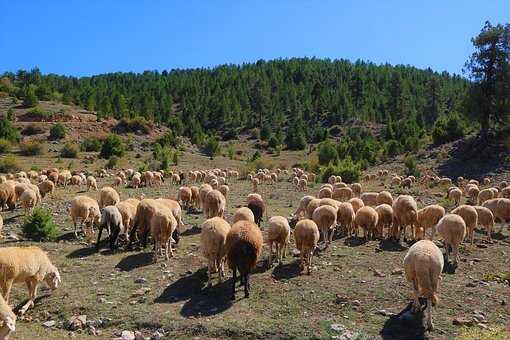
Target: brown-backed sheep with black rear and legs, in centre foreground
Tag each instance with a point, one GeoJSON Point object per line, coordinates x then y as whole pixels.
{"type": "Point", "coordinates": [244, 246]}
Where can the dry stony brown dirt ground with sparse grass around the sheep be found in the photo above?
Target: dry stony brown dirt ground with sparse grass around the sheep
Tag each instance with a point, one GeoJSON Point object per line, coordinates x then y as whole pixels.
{"type": "Point", "coordinates": [356, 290]}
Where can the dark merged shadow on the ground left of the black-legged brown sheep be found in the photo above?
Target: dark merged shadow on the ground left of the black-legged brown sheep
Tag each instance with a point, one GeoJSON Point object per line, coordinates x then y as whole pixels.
{"type": "Point", "coordinates": [200, 300]}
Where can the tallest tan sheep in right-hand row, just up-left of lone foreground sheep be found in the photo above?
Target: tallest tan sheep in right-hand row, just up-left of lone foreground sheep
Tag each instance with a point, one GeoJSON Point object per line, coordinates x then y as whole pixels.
{"type": "Point", "coordinates": [404, 214]}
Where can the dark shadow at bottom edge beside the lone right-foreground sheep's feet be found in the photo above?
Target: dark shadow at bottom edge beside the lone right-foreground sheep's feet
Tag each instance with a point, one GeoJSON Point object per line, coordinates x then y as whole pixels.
{"type": "Point", "coordinates": [405, 325]}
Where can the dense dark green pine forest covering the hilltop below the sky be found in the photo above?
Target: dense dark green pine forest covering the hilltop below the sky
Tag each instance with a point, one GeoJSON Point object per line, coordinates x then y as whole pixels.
{"type": "Point", "coordinates": [263, 94]}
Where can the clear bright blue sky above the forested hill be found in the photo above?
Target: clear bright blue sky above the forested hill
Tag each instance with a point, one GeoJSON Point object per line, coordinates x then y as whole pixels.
{"type": "Point", "coordinates": [96, 36]}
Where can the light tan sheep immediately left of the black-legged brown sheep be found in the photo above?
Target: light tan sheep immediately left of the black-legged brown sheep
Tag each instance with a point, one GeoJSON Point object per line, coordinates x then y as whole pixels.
{"type": "Point", "coordinates": [213, 239]}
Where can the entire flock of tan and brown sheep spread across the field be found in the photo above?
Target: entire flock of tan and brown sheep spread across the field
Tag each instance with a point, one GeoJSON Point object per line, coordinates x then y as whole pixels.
{"type": "Point", "coordinates": [338, 208]}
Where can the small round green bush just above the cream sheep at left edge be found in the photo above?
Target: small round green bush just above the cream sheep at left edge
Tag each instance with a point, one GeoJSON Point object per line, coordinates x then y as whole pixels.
{"type": "Point", "coordinates": [39, 226]}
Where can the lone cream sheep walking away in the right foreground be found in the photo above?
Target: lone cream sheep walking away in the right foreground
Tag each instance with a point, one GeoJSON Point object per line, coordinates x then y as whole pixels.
{"type": "Point", "coordinates": [423, 265]}
